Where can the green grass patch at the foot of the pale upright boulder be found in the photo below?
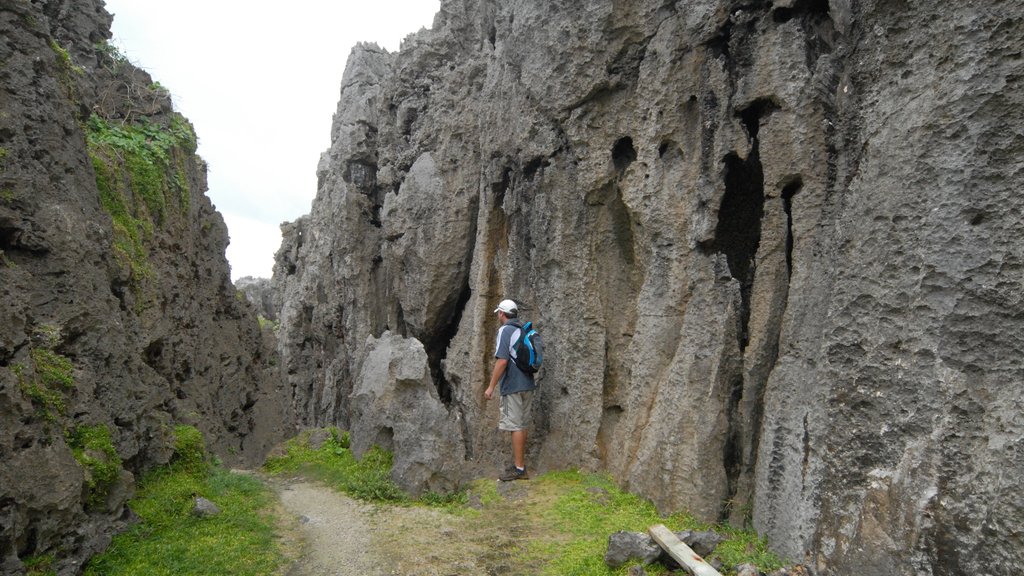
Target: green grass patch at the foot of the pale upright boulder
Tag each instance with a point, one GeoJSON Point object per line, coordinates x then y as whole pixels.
{"type": "Point", "coordinates": [333, 463]}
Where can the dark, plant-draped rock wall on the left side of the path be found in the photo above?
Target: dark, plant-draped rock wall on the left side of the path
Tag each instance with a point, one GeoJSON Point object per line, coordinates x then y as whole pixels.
{"type": "Point", "coordinates": [101, 330]}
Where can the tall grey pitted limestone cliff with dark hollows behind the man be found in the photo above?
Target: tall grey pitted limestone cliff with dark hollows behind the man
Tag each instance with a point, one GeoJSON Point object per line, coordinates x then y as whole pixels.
{"type": "Point", "coordinates": [774, 249]}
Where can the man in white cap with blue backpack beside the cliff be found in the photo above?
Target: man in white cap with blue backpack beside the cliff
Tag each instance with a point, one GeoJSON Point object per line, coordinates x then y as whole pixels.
{"type": "Point", "coordinates": [517, 389]}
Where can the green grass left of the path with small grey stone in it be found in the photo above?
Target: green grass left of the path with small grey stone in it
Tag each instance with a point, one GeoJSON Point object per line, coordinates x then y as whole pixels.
{"type": "Point", "coordinates": [170, 541]}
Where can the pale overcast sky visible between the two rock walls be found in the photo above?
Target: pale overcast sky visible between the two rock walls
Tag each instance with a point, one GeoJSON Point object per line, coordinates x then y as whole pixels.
{"type": "Point", "coordinates": [261, 83]}
